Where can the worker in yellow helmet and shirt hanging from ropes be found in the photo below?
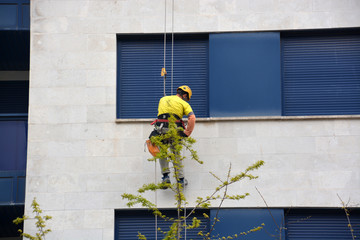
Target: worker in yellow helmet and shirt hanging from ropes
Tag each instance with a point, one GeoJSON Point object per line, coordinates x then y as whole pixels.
{"type": "Point", "coordinates": [177, 106]}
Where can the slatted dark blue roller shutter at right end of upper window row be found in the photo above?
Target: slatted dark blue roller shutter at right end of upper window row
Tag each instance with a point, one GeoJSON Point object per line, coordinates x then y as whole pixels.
{"type": "Point", "coordinates": [321, 74]}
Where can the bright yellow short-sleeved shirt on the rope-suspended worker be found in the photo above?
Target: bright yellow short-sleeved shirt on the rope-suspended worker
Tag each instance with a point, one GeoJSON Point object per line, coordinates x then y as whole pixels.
{"type": "Point", "coordinates": [174, 105]}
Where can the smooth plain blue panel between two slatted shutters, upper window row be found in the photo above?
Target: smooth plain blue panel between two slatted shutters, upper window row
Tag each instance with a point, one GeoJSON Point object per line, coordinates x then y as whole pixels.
{"type": "Point", "coordinates": [245, 74]}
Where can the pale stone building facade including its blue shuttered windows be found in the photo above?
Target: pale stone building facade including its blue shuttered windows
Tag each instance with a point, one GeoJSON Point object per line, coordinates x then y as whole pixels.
{"type": "Point", "coordinates": [273, 80]}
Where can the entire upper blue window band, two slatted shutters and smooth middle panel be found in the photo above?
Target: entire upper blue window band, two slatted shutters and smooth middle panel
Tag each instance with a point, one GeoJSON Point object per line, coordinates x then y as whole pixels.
{"type": "Point", "coordinates": [295, 73]}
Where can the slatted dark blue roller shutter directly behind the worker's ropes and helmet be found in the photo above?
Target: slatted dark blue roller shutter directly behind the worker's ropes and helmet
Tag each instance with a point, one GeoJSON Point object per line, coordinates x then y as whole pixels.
{"type": "Point", "coordinates": [140, 86]}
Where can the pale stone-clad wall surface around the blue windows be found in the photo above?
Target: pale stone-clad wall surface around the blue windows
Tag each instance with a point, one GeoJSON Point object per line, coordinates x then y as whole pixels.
{"type": "Point", "coordinates": [80, 161]}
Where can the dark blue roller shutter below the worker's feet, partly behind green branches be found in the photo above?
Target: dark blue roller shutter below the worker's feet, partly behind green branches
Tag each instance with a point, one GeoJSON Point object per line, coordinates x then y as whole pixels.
{"type": "Point", "coordinates": [129, 223]}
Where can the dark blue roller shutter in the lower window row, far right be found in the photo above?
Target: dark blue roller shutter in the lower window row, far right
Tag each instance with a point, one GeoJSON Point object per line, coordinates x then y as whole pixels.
{"type": "Point", "coordinates": [324, 224]}
